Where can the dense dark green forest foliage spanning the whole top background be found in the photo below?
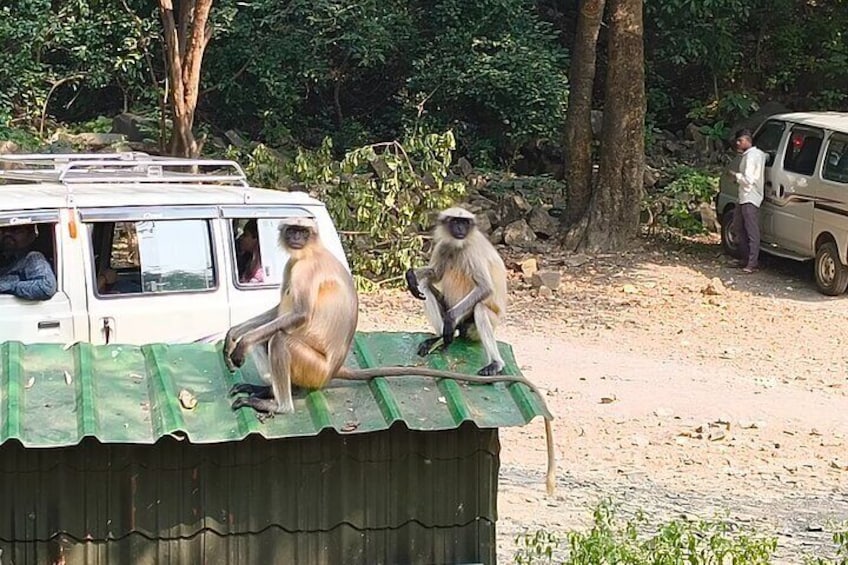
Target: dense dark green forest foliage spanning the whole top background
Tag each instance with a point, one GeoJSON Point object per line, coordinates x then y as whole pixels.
{"type": "Point", "coordinates": [493, 71]}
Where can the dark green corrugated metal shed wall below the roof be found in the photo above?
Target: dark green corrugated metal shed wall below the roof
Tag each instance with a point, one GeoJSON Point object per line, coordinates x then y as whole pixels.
{"type": "Point", "coordinates": [396, 496]}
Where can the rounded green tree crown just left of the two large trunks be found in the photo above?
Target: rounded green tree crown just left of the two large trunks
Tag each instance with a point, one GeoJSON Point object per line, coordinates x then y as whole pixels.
{"type": "Point", "coordinates": [492, 70]}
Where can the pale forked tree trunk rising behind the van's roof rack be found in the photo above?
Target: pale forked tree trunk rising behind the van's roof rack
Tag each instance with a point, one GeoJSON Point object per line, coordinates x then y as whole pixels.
{"type": "Point", "coordinates": [185, 42]}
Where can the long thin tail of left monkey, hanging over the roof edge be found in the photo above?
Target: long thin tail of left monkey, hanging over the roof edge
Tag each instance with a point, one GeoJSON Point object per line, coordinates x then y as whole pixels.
{"type": "Point", "coordinates": [401, 371]}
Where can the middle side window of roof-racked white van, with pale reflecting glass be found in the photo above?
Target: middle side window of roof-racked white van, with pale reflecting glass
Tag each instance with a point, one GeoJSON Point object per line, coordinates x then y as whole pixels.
{"type": "Point", "coordinates": [153, 256]}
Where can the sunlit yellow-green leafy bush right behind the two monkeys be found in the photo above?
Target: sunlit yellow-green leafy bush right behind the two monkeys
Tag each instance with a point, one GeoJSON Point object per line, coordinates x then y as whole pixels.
{"type": "Point", "coordinates": [378, 195]}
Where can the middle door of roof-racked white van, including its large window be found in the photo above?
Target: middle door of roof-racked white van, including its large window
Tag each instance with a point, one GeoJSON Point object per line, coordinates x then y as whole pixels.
{"type": "Point", "coordinates": [153, 274]}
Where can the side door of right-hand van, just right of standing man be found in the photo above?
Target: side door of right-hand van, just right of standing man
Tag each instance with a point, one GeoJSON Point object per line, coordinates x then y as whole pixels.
{"type": "Point", "coordinates": [792, 191]}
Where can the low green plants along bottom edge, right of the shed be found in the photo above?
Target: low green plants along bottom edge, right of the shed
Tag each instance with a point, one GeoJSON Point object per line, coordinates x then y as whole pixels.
{"type": "Point", "coordinates": [636, 542]}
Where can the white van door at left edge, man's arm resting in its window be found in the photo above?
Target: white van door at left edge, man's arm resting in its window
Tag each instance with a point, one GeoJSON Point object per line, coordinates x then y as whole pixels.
{"type": "Point", "coordinates": [46, 321]}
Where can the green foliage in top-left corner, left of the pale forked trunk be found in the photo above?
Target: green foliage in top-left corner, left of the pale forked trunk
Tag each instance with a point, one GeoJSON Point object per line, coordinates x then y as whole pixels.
{"type": "Point", "coordinates": [56, 52]}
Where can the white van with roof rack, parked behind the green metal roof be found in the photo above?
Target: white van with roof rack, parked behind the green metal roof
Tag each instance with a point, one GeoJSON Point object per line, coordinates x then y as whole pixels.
{"type": "Point", "coordinates": [144, 248]}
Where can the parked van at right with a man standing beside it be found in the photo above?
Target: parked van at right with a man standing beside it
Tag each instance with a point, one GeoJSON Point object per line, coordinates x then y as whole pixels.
{"type": "Point", "coordinates": [804, 214]}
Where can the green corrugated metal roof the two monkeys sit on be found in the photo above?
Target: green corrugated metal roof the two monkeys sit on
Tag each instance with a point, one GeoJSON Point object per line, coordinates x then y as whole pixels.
{"type": "Point", "coordinates": [54, 396]}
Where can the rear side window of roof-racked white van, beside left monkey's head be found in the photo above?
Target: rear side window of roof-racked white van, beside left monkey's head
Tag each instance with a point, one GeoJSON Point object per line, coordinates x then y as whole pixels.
{"type": "Point", "coordinates": [259, 261]}
